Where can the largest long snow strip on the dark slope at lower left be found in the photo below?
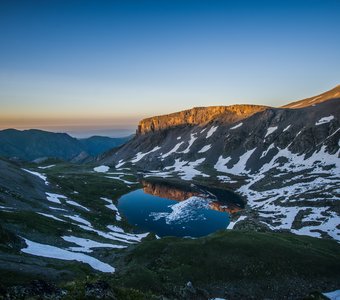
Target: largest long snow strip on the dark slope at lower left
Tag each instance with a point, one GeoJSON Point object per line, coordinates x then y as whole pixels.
{"type": "Point", "coordinates": [44, 250]}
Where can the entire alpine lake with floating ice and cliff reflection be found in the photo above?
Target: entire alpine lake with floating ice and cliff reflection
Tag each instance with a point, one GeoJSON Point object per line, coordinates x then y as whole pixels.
{"type": "Point", "coordinates": [168, 209]}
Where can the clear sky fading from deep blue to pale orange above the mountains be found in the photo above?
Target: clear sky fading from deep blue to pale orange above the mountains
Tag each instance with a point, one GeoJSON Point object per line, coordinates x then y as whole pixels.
{"type": "Point", "coordinates": [99, 66]}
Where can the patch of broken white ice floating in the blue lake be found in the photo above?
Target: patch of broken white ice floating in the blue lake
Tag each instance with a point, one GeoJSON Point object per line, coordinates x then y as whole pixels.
{"type": "Point", "coordinates": [184, 211]}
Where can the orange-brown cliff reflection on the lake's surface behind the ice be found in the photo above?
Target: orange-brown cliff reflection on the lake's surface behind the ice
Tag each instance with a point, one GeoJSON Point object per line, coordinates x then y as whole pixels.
{"type": "Point", "coordinates": [174, 193]}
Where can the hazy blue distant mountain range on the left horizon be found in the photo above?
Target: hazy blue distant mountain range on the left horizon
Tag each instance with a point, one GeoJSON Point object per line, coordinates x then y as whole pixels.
{"type": "Point", "coordinates": [35, 144]}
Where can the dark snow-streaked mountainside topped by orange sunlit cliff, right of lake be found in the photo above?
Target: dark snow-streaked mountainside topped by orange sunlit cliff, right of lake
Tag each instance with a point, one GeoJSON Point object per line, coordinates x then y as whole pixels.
{"type": "Point", "coordinates": [284, 161]}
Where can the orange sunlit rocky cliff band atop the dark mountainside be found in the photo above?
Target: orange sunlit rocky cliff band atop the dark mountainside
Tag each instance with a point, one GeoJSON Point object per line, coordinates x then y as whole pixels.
{"type": "Point", "coordinates": [198, 116]}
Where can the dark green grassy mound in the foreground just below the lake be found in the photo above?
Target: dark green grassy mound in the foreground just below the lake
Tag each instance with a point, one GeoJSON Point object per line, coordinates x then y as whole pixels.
{"type": "Point", "coordinates": [232, 258]}
